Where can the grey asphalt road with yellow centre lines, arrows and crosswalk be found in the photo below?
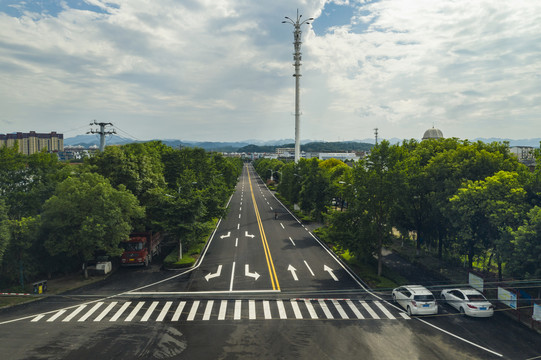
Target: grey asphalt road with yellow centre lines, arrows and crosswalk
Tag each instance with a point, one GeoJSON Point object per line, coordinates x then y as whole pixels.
{"type": "Point", "coordinates": [263, 288]}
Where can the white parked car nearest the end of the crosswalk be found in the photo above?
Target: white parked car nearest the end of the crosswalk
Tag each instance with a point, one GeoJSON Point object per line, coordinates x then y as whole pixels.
{"type": "Point", "coordinates": [416, 300]}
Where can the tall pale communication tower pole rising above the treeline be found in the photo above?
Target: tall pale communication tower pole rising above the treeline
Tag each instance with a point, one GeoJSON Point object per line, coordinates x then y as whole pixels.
{"type": "Point", "coordinates": [297, 57]}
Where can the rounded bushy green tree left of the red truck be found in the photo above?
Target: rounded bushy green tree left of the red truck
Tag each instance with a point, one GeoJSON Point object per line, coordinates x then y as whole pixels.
{"type": "Point", "coordinates": [85, 215]}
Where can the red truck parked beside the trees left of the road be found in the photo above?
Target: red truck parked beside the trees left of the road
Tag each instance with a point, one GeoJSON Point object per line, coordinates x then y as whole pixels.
{"type": "Point", "coordinates": [140, 248]}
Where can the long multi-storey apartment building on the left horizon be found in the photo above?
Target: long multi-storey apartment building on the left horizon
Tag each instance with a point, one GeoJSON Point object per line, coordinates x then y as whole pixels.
{"type": "Point", "coordinates": [32, 142]}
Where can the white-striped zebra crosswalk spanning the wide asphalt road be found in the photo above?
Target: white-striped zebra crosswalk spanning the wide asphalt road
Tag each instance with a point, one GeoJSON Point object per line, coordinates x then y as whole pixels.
{"type": "Point", "coordinates": [222, 310]}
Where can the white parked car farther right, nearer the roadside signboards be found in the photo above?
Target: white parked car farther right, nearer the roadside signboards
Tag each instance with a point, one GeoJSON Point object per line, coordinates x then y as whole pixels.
{"type": "Point", "coordinates": [468, 301]}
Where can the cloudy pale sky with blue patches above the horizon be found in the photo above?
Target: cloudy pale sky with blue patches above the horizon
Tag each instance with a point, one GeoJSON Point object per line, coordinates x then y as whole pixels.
{"type": "Point", "coordinates": [221, 70]}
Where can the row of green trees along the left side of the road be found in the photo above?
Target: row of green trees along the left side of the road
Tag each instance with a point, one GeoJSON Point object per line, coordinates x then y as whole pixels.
{"type": "Point", "coordinates": [55, 216]}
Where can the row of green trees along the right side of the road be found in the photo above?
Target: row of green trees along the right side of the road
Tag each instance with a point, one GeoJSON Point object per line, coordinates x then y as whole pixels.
{"type": "Point", "coordinates": [461, 199]}
